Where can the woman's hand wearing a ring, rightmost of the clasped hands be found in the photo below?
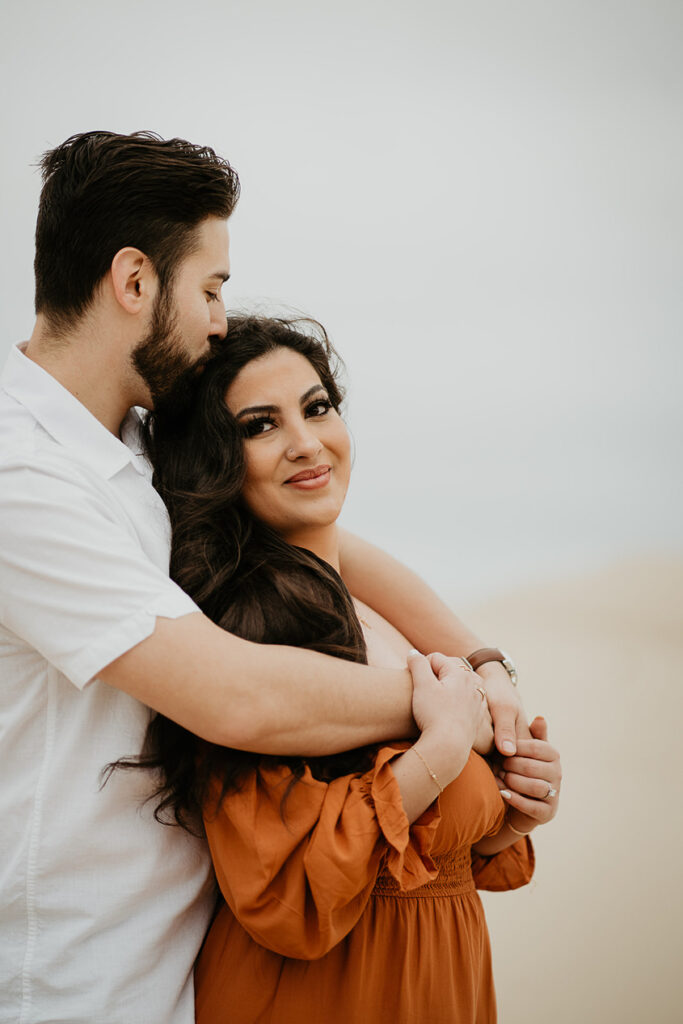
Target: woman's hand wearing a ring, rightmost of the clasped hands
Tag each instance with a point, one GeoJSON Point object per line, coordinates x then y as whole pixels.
{"type": "Point", "coordinates": [530, 782]}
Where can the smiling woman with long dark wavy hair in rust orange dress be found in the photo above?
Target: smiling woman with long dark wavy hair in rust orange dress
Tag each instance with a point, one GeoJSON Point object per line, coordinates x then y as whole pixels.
{"type": "Point", "coordinates": [334, 908]}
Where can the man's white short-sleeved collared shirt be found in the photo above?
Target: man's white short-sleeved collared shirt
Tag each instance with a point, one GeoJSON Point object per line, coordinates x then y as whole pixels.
{"type": "Point", "coordinates": [102, 910]}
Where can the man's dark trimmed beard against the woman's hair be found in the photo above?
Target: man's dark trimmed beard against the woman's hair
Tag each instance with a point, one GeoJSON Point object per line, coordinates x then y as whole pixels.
{"type": "Point", "coordinates": [161, 360]}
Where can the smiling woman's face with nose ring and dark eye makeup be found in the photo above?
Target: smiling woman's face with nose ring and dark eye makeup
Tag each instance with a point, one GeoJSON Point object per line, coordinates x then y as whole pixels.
{"type": "Point", "coordinates": [297, 448]}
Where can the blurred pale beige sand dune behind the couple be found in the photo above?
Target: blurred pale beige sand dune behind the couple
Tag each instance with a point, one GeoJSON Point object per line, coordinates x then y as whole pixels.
{"type": "Point", "coordinates": [599, 936]}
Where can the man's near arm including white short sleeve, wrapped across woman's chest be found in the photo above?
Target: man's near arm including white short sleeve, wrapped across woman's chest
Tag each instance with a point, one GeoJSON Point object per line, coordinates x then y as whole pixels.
{"type": "Point", "coordinates": [78, 588]}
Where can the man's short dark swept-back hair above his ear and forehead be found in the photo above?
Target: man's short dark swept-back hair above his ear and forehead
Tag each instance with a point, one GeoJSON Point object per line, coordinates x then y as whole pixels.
{"type": "Point", "coordinates": [103, 192]}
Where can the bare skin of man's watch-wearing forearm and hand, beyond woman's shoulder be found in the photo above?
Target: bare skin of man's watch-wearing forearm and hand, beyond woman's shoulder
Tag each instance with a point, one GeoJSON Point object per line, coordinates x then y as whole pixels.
{"type": "Point", "coordinates": [430, 625]}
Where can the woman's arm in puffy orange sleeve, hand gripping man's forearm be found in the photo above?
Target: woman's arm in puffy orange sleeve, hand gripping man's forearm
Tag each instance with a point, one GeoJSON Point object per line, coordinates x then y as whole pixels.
{"type": "Point", "coordinates": [297, 864]}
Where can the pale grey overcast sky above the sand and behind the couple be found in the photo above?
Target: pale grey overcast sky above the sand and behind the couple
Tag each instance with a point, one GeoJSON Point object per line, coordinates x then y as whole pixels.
{"type": "Point", "coordinates": [483, 203]}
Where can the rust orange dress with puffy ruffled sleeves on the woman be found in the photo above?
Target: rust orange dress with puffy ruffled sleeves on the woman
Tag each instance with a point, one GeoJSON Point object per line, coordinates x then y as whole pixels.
{"type": "Point", "coordinates": [337, 912]}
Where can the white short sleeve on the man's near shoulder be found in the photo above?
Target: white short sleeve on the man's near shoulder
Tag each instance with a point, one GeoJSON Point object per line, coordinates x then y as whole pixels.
{"type": "Point", "coordinates": [75, 582]}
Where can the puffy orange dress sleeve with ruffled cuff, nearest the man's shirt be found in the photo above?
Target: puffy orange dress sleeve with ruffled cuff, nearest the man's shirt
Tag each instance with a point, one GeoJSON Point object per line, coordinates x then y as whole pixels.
{"type": "Point", "coordinates": [296, 864]}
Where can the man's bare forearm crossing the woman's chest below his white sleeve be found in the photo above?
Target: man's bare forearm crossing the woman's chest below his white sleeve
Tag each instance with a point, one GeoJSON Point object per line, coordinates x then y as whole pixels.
{"type": "Point", "coordinates": [261, 697]}
